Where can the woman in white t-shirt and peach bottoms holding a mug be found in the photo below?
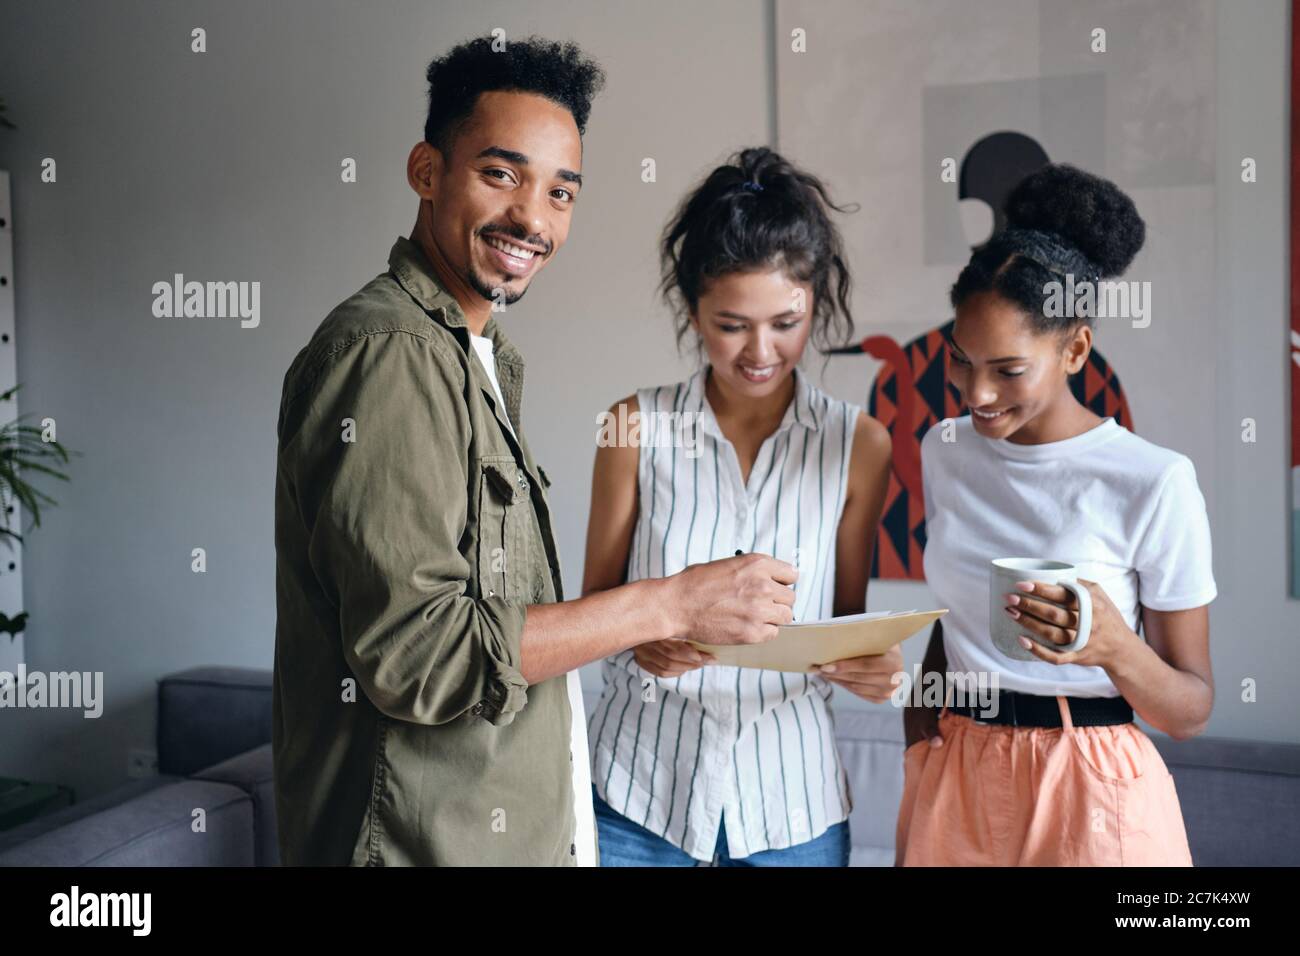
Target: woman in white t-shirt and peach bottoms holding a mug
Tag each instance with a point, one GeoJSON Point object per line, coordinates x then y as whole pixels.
{"type": "Point", "coordinates": [1061, 776]}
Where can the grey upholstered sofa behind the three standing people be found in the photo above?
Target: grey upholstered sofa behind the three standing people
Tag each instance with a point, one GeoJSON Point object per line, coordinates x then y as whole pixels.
{"type": "Point", "coordinates": [1240, 798]}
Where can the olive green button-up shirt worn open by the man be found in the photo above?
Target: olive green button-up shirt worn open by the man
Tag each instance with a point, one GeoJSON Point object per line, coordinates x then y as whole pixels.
{"type": "Point", "coordinates": [413, 531]}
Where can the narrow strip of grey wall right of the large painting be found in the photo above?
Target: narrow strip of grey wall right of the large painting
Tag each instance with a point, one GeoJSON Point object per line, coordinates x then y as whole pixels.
{"type": "Point", "coordinates": [1256, 628]}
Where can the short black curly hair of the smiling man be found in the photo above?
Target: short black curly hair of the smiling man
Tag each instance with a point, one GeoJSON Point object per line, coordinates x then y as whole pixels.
{"type": "Point", "coordinates": [557, 71]}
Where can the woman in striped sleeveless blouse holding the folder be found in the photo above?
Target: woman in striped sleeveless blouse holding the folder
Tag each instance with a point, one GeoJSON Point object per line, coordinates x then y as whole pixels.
{"type": "Point", "coordinates": [695, 762]}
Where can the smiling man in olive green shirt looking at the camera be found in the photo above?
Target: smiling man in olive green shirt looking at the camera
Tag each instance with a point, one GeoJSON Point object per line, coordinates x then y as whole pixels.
{"type": "Point", "coordinates": [427, 708]}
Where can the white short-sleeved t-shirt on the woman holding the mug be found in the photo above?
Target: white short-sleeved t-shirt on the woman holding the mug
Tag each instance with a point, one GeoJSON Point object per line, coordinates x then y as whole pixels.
{"type": "Point", "coordinates": [1128, 513]}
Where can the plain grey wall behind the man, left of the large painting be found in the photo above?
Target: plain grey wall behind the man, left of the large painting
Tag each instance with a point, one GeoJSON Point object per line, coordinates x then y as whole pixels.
{"type": "Point", "coordinates": [227, 167]}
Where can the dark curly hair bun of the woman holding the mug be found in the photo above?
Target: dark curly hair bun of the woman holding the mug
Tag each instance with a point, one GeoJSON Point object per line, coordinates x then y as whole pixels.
{"type": "Point", "coordinates": [1086, 211]}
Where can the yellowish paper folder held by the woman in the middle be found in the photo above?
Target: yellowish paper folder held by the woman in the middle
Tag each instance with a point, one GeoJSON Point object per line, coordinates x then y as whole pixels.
{"type": "Point", "coordinates": [803, 648]}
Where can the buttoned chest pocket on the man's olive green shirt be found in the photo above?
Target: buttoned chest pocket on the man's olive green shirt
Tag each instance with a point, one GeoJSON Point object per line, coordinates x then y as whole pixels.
{"type": "Point", "coordinates": [505, 533]}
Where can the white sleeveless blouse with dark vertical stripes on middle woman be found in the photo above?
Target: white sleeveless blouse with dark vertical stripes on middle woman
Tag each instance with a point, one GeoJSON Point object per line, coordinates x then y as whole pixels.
{"type": "Point", "coordinates": [749, 750]}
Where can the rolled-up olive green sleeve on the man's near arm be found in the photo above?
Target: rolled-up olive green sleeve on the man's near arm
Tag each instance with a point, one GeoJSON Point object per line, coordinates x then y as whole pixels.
{"type": "Point", "coordinates": [382, 468]}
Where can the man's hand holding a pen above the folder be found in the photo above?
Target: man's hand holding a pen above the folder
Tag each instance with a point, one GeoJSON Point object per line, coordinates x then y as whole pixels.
{"type": "Point", "coordinates": [738, 600]}
